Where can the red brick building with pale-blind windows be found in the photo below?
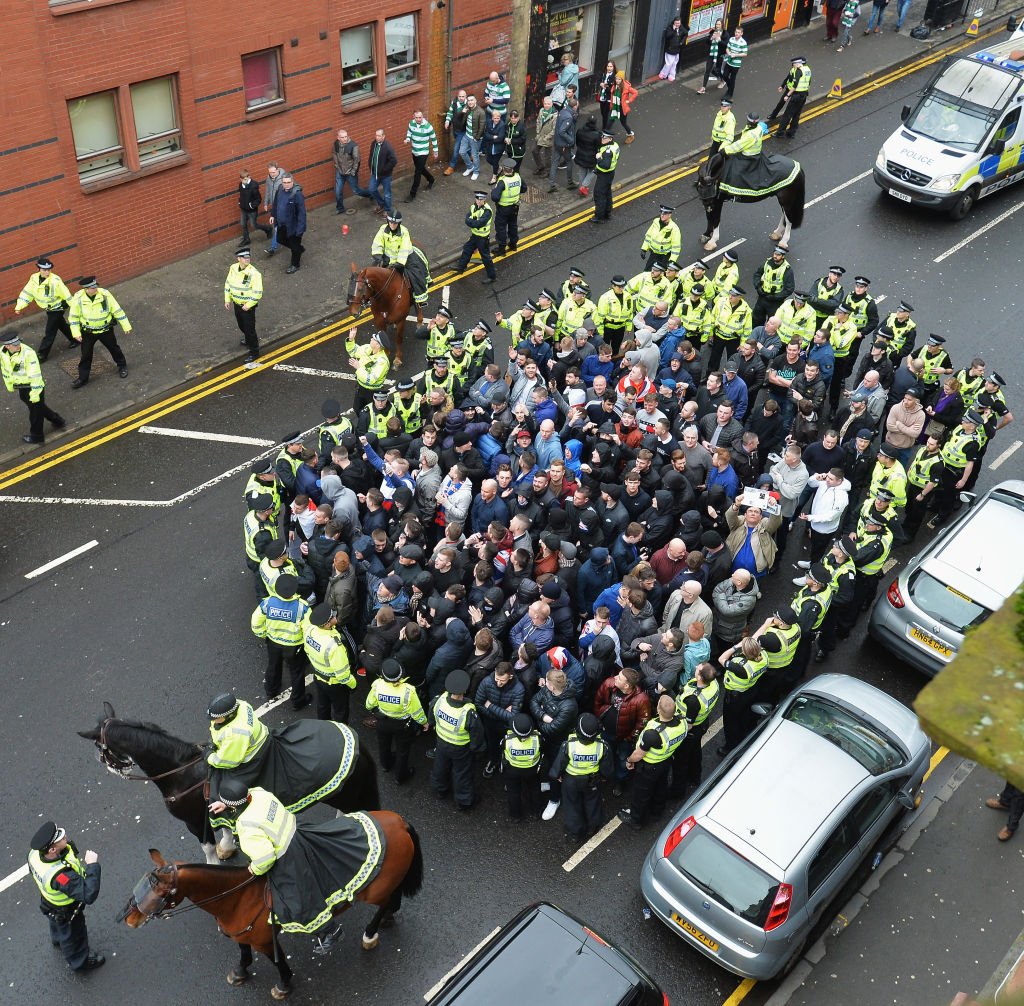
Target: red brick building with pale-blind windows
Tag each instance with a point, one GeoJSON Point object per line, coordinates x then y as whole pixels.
{"type": "Point", "coordinates": [126, 121]}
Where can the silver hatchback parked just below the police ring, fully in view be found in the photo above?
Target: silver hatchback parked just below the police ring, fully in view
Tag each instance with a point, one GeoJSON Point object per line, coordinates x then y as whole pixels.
{"type": "Point", "coordinates": [755, 857]}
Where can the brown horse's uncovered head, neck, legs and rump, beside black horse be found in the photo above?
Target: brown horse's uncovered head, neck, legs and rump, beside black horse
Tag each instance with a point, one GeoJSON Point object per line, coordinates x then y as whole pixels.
{"type": "Point", "coordinates": [240, 902]}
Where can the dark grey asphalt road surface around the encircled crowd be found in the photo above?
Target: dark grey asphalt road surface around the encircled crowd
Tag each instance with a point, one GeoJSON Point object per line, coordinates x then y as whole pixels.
{"type": "Point", "coordinates": [154, 618]}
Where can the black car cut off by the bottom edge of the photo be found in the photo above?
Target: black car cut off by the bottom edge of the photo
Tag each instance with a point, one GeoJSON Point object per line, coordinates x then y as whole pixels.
{"type": "Point", "coordinates": [546, 957]}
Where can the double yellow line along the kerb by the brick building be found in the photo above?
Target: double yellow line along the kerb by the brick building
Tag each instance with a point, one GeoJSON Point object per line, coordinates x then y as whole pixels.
{"type": "Point", "coordinates": [190, 396]}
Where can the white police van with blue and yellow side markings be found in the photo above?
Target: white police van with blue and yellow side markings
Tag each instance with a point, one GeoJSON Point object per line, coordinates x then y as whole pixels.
{"type": "Point", "coordinates": [964, 140]}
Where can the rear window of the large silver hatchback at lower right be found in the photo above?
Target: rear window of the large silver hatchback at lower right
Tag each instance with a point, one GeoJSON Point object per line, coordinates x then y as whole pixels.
{"type": "Point", "coordinates": [727, 876]}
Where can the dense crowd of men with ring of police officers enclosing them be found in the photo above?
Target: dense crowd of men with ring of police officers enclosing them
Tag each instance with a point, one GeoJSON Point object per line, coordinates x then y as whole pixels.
{"type": "Point", "coordinates": [557, 563]}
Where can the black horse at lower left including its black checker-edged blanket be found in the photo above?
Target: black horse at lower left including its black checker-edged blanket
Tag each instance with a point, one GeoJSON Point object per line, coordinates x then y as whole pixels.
{"type": "Point", "coordinates": [342, 775]}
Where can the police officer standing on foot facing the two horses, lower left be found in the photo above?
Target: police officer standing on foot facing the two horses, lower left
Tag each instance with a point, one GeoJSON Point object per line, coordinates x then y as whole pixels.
{"type": "Point", "coordinates": [66, 885]}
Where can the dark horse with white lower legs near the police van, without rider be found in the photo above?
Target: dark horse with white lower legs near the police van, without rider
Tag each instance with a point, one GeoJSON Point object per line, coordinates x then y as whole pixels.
{"type": "Point", "coordinates": [721, 179]}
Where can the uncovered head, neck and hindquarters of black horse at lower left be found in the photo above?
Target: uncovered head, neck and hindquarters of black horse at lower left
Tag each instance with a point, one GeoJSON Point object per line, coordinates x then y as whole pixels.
{"type": "Point", "coordinates": [180, 771]}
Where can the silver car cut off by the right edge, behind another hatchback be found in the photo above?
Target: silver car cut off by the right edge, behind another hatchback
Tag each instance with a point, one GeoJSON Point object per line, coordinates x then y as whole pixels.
{"type": "Point", "coordinates": [968, 571]}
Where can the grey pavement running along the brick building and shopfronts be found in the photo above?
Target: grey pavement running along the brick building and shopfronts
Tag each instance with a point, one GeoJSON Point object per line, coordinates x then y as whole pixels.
{"type": "Point", "coordinates": [182, 330]}
